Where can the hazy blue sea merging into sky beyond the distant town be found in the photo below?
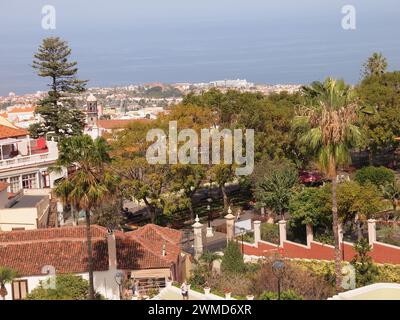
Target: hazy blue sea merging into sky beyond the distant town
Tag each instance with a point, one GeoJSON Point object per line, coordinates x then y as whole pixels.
{"type": "Point", "coordinates": [264, 41]}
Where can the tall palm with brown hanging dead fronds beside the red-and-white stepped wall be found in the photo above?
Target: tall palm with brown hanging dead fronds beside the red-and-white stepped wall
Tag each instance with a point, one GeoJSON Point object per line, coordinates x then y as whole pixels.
{"type": "Point", "coordinates": [328, 127]}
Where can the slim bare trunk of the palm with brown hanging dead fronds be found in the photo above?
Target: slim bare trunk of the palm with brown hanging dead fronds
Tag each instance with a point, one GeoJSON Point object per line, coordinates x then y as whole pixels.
{"type": "Point", "coordinates": [338, 255]}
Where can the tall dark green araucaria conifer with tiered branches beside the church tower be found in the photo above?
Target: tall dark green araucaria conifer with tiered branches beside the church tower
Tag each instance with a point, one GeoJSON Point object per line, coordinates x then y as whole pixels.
{"type": "Point", "coordinates": [58, 109]}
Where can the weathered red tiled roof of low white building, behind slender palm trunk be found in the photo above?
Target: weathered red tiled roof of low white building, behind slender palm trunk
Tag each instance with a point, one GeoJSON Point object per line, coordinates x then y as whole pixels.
{"type": "Point", "coordinates": [66, 249]}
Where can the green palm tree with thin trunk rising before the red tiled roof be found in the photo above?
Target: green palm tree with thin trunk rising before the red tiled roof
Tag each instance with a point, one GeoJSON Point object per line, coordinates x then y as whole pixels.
{"type": "Point", "coordinates": [89, 185]}
